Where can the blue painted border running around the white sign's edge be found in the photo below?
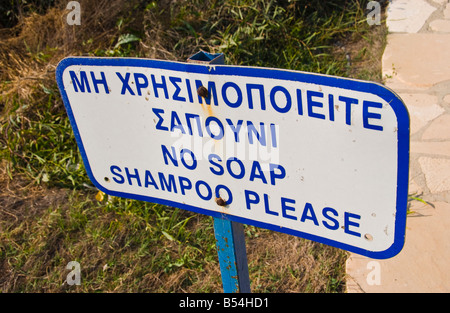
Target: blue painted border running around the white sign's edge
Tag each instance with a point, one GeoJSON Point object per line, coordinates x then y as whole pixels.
{"type": "Point", "coordinates": [325, 80]}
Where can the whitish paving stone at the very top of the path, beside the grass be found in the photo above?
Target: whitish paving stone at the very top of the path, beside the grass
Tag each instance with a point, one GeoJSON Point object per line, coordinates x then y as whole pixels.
{"type": "Point", "coordinates": [407, 16]}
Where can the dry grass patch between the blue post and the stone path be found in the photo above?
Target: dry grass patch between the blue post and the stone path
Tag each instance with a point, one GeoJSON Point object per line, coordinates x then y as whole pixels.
{"type": "Point", "coordinates": [296, 264]}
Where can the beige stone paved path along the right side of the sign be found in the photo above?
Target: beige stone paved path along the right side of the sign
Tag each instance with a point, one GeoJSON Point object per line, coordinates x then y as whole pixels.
{"type": "Point", "coordinates": [416, 65]}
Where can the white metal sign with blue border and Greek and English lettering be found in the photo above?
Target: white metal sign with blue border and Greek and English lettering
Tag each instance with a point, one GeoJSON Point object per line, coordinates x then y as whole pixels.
{"type": "Point", "coordinates": [316, 156]}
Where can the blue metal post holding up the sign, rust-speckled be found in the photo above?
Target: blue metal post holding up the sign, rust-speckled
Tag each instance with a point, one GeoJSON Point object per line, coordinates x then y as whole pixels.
{"type": "Point", "coordinates": [230, 237]}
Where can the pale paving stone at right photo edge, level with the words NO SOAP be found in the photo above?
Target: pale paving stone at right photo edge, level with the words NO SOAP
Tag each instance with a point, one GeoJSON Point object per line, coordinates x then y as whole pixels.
{"type": "Point", "coordinates": [436, 173]}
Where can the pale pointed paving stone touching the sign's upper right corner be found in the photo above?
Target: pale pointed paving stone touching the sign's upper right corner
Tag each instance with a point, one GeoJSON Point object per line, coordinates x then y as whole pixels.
{"type": "Point", "coordinates": [422, 108]}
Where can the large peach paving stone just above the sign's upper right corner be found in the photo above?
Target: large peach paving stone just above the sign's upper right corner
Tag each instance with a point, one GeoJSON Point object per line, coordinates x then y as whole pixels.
{"type": "Point", "coordinates": [416, 60]}
